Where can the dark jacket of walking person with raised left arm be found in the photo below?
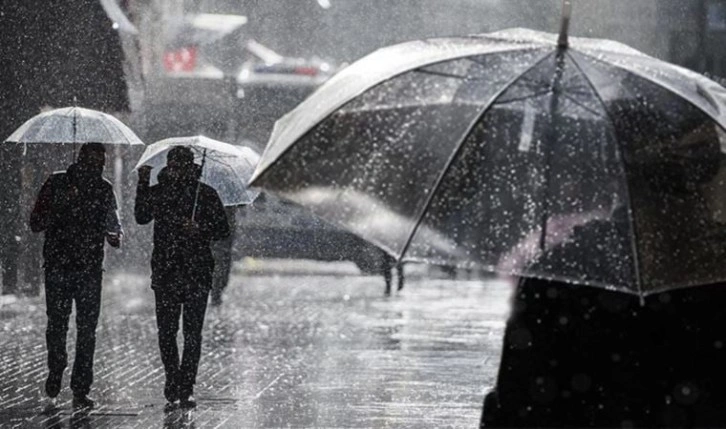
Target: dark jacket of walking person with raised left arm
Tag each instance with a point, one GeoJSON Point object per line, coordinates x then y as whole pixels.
{"type": "Point", "coordinates": [170, 204]}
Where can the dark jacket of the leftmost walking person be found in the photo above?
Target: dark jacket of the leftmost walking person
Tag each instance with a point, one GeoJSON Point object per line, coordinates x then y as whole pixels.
{"type": "Point", "coordinates": [76, 209]}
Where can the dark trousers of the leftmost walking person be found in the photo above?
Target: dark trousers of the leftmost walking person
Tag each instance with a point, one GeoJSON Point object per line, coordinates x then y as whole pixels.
{"type": "Point", "coordinates": [62, 288]}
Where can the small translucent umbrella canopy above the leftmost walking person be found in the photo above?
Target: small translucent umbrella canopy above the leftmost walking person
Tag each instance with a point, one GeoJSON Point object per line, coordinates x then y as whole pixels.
{"type": "Point", "coordinates": [74, 125]}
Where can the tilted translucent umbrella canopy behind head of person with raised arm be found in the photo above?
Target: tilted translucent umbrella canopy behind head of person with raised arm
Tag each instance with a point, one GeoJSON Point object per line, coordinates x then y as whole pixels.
{"type": "Point", "coordinates": [227, 168]}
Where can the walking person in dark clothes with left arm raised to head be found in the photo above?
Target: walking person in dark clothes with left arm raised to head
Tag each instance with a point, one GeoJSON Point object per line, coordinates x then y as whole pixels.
{"type": "Point", "coordinates": [188, 215]}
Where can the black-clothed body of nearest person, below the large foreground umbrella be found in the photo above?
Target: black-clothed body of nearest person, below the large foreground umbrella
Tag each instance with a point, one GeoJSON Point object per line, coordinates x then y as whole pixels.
{"type": "Point", "coordinates": [580, 356]}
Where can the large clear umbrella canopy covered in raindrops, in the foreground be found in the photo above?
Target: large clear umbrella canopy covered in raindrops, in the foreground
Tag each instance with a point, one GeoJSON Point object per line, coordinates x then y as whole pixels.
{"type": "Point", "coordinates": [512, 143]}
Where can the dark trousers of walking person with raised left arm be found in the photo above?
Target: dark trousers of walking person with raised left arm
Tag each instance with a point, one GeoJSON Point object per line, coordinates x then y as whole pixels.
{"type": "Point", "coordinates": [181, 299]}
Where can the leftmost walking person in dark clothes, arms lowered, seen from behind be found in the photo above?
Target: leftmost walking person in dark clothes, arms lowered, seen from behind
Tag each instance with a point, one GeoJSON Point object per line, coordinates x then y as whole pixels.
{"type": "Point", "coordinates": [77, 211]}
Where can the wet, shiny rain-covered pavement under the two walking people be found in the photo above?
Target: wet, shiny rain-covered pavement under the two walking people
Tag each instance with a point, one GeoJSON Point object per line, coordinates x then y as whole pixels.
{"type": "Point", "coordinates": [322, 349]}
